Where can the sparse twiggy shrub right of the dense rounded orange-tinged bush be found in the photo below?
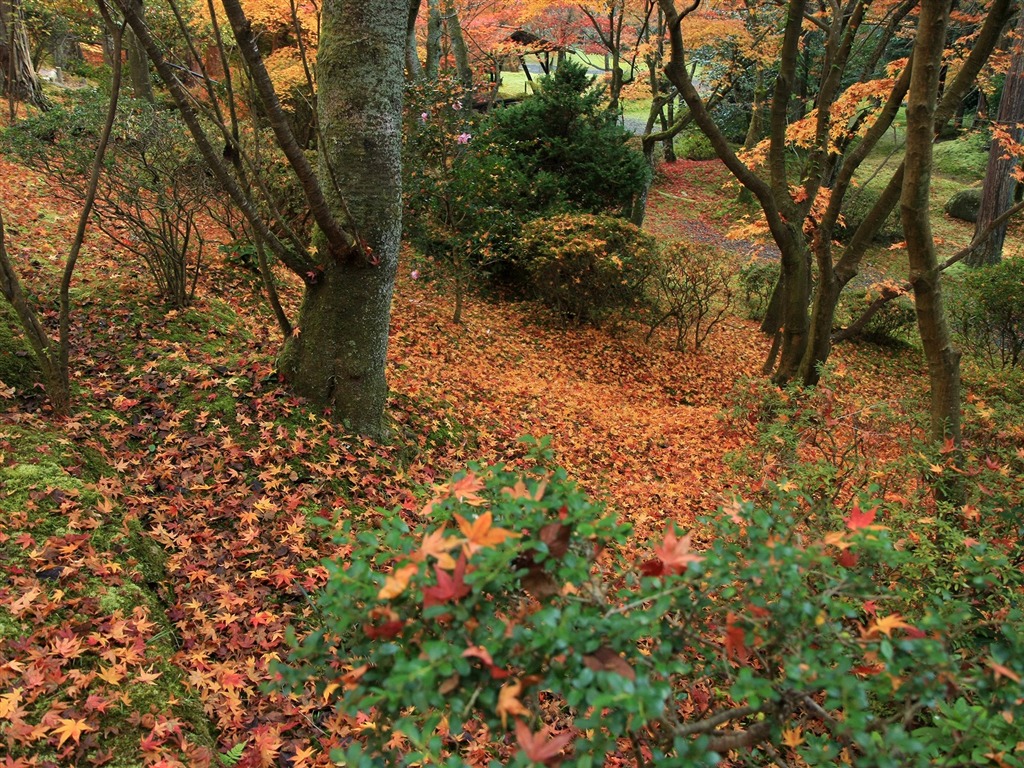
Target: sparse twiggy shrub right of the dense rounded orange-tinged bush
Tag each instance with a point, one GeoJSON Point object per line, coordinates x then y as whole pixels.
{"type": "Point", "coordinates": [690, 289]}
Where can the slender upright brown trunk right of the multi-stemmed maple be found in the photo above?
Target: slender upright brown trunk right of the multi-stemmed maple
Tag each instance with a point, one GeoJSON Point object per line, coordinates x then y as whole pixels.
{"type": "Point", "coordinates": [944, 361]}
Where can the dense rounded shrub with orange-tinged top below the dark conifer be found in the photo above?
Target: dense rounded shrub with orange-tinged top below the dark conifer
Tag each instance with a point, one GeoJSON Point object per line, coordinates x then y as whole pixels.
{"type": "Point", "coordinates": [585, 267]}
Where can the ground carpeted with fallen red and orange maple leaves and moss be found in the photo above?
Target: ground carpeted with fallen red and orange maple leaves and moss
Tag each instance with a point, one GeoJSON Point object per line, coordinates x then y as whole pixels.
{"type": "Point", "coordinates": [157, 543]}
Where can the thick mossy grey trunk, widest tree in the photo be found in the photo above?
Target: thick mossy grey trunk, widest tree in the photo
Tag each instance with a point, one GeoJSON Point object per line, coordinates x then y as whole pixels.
{"type": "Point", "coordinates": [336, 358]}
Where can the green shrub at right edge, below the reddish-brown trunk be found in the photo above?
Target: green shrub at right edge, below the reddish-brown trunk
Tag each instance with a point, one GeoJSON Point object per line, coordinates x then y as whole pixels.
{"type": "Point", "coordinates": [988, 310]}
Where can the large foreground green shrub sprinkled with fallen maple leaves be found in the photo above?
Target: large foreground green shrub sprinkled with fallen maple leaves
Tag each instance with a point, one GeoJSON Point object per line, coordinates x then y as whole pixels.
{"type": "Point", "coordinates": [797, 631]}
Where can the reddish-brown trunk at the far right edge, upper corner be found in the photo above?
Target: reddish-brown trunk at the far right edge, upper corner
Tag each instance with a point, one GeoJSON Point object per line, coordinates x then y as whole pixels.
{"type": "Point", "coordinates": [1000, 188]}
